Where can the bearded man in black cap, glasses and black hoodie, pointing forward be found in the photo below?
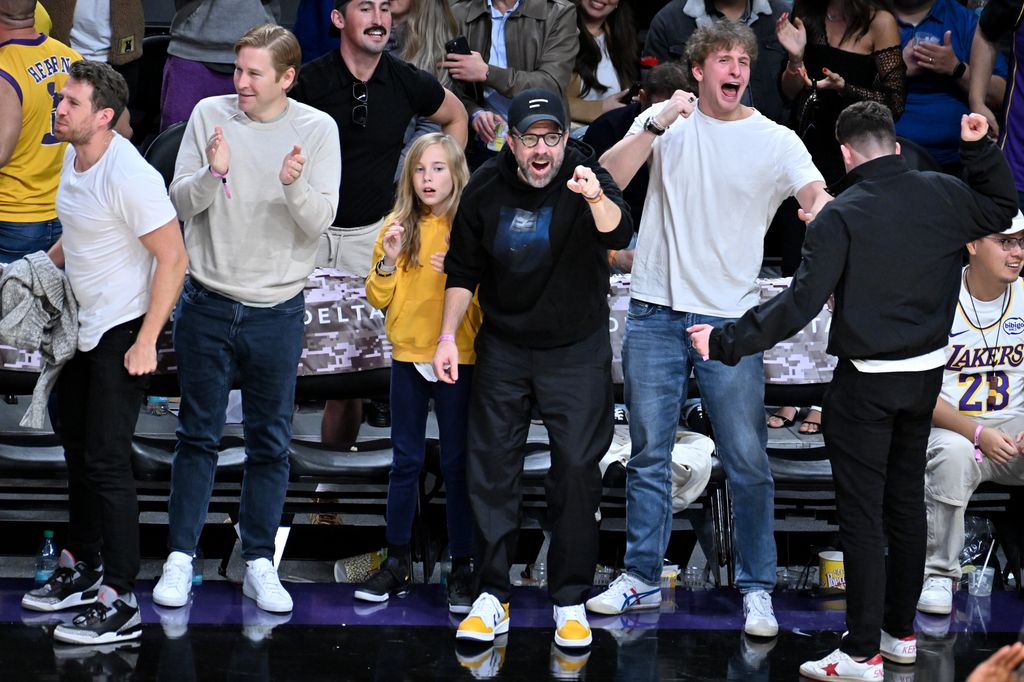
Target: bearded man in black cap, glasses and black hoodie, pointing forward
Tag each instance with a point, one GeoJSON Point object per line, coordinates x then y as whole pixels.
{"type": "Point", "coordinates": [533, 232]}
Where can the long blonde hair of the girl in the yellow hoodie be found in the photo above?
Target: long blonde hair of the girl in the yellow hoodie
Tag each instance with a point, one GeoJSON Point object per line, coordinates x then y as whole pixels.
{"type": "Point", "coordinates": [408, 208]}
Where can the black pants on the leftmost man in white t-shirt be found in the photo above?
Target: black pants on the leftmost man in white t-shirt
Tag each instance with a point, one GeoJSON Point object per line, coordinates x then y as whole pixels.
{"type": "Point", "coordinates": [99, 403]}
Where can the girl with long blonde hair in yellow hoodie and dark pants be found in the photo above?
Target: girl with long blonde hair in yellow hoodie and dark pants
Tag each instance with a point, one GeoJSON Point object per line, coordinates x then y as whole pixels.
{"type": "Point", "coordinates": [408, 282]}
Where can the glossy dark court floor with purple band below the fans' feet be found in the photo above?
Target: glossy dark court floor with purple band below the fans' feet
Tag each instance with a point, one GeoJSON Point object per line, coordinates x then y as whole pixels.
{"type": "Point", "coordinates": [697, 636]}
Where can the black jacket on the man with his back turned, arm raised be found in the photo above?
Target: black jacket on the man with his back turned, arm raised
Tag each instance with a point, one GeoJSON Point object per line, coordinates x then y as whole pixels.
{"type": "Point", "coordinates": [890, 247]}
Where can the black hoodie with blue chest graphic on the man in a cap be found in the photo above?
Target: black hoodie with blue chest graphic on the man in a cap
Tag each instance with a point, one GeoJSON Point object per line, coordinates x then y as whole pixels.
{"type": "Point", "coordinates": [541, 264]}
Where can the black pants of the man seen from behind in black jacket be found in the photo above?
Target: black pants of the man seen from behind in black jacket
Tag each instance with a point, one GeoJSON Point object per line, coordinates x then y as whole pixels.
{"type": "Point", "coordinates": [876, 430]}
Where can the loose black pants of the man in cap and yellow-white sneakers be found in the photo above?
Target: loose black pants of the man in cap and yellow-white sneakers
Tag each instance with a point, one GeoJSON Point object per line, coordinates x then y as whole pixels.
{"type": "Point", "coordinates": [572, 388]}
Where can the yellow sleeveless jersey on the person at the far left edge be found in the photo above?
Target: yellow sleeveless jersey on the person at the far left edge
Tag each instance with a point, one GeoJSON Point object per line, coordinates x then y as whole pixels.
{"type": "Point", "coordinates": [36, 69]}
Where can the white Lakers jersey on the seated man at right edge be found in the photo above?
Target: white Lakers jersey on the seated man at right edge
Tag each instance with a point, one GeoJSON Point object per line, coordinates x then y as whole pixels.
{"type": "Point", "coordinates": [985, 377]}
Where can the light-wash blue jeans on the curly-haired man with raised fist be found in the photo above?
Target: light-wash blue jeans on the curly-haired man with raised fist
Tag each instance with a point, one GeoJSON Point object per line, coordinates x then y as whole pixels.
{"type": "Point", "coordinates": [657, 362]}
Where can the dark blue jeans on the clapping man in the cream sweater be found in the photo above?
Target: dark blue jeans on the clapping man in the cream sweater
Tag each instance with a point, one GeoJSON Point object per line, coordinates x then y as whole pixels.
{"type": "Point", "coordinates": [218, 339]}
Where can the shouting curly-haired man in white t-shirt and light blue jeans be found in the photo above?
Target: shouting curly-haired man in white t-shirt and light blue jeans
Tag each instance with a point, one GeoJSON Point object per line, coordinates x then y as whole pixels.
{"type": "Point", "coordinates": [719, 170]}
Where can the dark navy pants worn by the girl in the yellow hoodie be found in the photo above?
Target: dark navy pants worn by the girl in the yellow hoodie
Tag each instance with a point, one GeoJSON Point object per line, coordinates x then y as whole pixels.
{"type": "Point", "coordinates": [411, 395]}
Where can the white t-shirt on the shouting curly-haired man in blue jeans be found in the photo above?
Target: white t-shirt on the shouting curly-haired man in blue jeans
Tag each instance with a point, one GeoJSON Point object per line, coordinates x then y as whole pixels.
{"type": "Point", "coordinates": [715, 187]}
